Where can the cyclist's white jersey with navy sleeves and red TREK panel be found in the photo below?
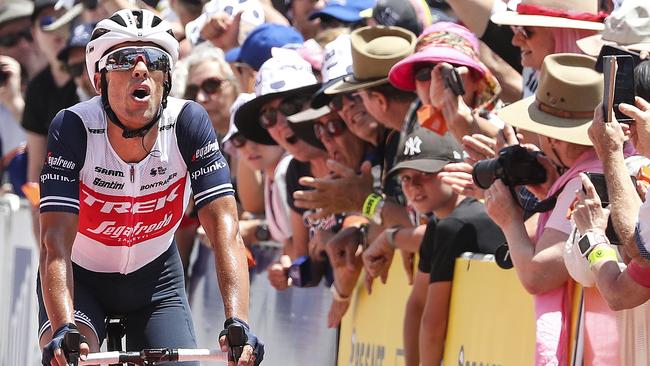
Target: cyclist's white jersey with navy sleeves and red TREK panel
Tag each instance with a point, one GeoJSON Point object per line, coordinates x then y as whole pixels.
{"type": "Point", "coordinates": [128, 212]}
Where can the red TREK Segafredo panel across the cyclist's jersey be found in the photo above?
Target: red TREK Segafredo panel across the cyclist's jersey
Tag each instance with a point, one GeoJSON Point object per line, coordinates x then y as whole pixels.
{"type": "Point", "coordinates": [126, 220]}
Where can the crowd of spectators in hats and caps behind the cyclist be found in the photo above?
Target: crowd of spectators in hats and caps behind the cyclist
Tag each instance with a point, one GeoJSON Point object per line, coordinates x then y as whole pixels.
{"type": "Point", "coordinates": [356, 129]}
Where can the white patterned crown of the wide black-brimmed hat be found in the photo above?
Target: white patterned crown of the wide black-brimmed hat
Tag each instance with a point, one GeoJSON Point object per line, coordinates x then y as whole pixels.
{"type": "Point", "coordinates": [285, 70]}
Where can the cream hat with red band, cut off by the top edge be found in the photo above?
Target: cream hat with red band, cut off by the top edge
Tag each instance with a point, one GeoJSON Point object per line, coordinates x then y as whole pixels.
{"type": "Point", "coordinates": [574, 14]}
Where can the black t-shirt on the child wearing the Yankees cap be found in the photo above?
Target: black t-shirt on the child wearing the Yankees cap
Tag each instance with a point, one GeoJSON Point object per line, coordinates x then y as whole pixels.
{"type": "Point", "coordinates": [467, 229]}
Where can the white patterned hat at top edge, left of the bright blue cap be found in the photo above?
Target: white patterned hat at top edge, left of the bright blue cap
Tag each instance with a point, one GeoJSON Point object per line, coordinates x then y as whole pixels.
{"type": "Point", "coordinates": [252, 16]}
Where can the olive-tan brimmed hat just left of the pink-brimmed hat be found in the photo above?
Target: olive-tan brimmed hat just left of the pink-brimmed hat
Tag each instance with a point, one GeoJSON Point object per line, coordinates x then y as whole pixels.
{"type": "Point", "coordinates": [374, 51]}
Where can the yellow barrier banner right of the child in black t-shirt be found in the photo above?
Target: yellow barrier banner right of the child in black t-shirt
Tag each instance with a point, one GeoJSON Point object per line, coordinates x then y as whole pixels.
{"type": "Point", "coordinates": [492, 318]}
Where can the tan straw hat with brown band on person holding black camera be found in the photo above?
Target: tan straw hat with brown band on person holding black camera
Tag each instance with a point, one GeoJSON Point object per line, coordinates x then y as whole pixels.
{"type": "Point", "coordinates": [563, 105]}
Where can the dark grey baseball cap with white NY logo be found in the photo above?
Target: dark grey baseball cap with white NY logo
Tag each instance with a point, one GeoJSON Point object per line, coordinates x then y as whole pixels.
{"type": "Point", "coordinates": [424, 150]}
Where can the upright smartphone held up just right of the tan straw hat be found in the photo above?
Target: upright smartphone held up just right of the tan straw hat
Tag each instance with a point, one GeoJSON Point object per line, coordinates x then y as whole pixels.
{"type": "Point", "coordinates": [618, 72]}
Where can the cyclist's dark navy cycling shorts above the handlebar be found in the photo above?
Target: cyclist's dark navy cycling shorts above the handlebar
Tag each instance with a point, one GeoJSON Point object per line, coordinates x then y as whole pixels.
{"type": "Point", "coordinates": [152, 301]}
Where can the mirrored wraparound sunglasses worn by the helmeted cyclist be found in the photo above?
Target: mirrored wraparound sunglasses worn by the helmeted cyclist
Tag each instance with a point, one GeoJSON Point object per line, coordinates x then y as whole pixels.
{"type": "Point", "coordinates": [127, 57]}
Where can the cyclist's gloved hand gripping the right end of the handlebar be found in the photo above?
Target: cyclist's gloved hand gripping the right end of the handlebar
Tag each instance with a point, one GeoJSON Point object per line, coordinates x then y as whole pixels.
{"type": "Point", "coordinates": [240, 343]}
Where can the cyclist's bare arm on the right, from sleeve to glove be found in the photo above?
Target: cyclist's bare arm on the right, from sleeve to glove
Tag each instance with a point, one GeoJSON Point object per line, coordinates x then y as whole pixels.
{"type": "Point", "coordinates": [219, 219]}
